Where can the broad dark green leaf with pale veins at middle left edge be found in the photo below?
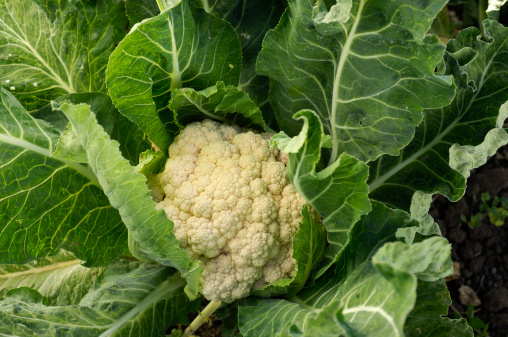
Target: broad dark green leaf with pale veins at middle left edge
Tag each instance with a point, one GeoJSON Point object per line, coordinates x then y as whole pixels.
{"type": "Point", "coordinates": [47, 203]}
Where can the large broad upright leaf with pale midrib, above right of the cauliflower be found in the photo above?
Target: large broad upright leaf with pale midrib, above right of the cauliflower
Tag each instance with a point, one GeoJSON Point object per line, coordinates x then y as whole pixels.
{"type": "Point", "coordinates": [365, 66]}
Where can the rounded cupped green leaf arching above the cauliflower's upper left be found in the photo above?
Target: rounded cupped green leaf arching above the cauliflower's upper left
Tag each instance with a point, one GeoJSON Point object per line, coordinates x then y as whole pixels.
{"type": "Point", "coordinates": [179, 48]}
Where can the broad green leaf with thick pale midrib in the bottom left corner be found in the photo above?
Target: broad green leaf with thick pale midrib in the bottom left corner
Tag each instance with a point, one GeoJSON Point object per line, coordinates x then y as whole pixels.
{"type": "Point", "coordinates": [127, 299]}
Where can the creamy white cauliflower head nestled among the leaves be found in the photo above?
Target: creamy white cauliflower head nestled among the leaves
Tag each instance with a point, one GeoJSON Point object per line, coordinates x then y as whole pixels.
{"type": "Point", "coordinates": [233, 206]}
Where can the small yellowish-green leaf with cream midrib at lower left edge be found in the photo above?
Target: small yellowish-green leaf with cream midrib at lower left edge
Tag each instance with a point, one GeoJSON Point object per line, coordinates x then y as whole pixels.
{"type": "Point", "coordinates": [60, 278]}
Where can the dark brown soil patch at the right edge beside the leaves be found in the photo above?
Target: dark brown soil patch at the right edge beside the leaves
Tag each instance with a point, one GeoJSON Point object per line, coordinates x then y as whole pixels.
{"type": "Point", "coordinates": [481, 252]}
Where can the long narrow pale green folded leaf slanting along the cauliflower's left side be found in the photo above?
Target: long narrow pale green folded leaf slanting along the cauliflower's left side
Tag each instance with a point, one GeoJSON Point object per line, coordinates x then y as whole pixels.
{"type": "Point", "coordinates": [127, 192]}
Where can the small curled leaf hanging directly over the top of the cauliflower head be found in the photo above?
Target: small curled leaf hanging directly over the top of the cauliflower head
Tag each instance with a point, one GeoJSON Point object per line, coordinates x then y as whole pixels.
{"type": "Point", "coordinates": [226, 104]}
